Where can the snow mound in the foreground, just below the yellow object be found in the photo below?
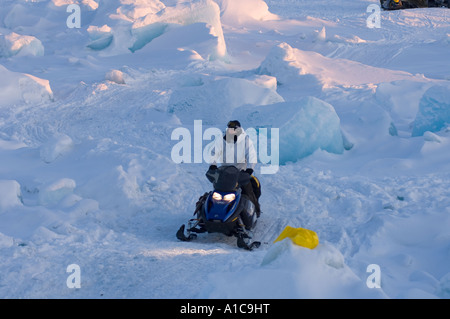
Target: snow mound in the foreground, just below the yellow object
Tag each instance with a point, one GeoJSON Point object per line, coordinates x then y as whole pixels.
{"type": "Point", "coordinates": [288, 271]}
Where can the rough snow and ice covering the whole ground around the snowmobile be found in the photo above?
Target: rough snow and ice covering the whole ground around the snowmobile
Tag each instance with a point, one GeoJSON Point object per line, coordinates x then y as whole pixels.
{"type": "Point", "coordinates": [87, 178]}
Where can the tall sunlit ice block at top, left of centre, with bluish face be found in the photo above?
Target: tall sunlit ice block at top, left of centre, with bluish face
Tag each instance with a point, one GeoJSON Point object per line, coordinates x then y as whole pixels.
{"type": "Point", "coordinates": [136, 24]}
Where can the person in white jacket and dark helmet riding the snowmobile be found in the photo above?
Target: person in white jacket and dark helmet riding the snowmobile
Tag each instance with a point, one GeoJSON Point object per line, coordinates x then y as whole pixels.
{"type": "Point", "coordinates": [238, 150]}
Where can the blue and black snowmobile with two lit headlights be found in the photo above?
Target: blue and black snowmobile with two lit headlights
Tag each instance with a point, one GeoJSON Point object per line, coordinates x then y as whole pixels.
{"type": "Point", "coordinates": [224, 210]}
